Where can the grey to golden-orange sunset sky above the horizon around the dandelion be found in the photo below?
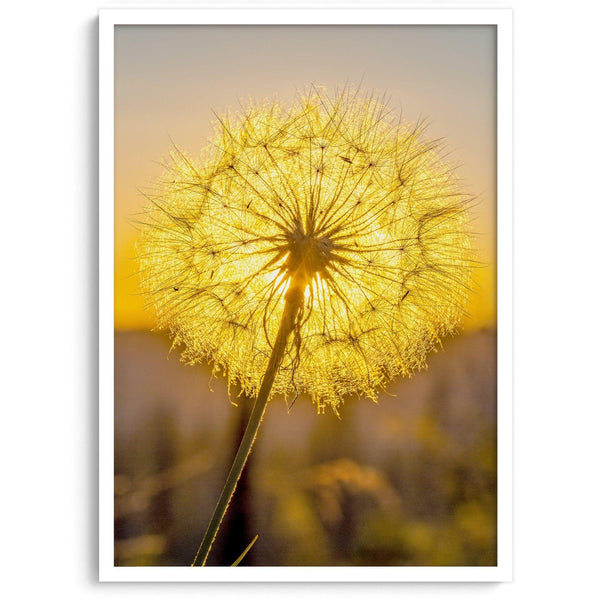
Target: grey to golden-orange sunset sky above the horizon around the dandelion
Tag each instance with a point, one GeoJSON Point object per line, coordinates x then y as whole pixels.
{"type": "Point", "coordinates": [170, 79]}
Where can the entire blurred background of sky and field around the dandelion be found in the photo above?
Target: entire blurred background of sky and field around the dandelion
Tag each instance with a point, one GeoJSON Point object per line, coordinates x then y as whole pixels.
{"type": "Point", "coordinates": [410, 480]}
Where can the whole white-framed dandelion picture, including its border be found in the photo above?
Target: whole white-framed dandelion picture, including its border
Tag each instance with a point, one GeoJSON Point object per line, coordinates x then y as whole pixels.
{"type": "Point", "coordinates": [305, 280]}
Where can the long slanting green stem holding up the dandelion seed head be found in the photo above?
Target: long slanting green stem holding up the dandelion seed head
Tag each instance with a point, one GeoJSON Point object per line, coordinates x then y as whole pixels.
{"type": "Point", "coordinates": [293, 302]}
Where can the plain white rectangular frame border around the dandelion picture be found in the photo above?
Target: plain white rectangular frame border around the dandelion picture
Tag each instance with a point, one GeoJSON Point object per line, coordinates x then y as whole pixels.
{"type": "Point", "coordinates": [237, 15]}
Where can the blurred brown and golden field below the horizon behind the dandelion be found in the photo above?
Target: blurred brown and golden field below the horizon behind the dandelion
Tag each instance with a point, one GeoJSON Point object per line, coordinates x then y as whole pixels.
{"type": "Point", "coordinates": [408, 481]}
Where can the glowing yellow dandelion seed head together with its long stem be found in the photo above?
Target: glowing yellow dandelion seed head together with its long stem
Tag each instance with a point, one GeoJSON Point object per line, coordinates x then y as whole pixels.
{"type": "Point", "coordinates": [321, 249]}
